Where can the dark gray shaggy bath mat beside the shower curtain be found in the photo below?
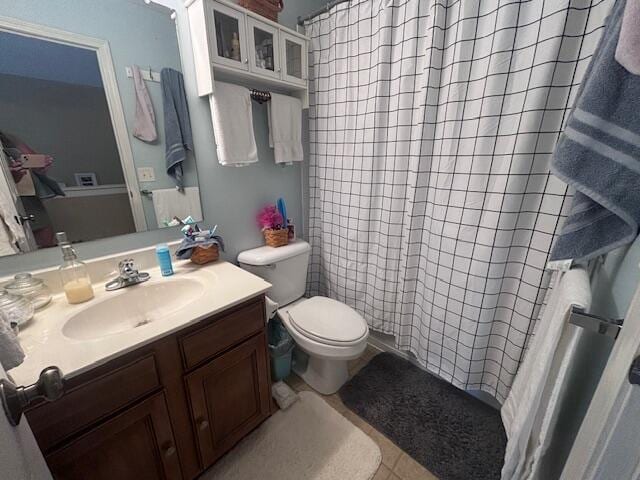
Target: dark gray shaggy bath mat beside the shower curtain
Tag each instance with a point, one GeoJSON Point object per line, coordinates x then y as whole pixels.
{"type": "Point", "coordinates": [452, 434]}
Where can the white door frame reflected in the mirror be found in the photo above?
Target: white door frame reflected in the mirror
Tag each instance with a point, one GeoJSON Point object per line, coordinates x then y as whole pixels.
{"type": "Point", "coordinates": [112, 94]}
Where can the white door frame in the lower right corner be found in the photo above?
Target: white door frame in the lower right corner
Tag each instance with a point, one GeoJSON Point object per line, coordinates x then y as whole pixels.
{"type": "Point", "coordinates": [596, 437]}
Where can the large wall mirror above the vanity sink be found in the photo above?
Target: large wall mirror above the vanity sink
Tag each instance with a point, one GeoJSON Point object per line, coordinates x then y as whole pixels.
{"type": "Point", "coordinates": [69, 107]}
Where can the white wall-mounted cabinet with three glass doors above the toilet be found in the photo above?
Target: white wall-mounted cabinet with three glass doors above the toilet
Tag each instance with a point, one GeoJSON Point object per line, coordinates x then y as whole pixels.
{"type": "Point", "coordinates": [230, 42]}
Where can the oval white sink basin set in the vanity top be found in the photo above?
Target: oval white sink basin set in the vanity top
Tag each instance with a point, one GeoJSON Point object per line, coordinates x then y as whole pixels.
{"type": "Point", "coordinates": [132, 307]}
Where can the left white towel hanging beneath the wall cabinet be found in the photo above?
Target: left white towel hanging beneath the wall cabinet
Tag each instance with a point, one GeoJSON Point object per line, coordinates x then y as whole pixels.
{"type": "Point", "coordinates": [232, 119]}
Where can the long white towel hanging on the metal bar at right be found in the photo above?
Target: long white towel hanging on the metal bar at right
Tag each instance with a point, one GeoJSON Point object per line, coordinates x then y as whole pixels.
{"type": "Point", "coordinates": [530, 412]}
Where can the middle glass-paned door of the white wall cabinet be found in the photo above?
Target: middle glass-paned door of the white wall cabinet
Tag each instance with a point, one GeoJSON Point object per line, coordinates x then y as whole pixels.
{"type": "Point", "coordinates": [264, 48]}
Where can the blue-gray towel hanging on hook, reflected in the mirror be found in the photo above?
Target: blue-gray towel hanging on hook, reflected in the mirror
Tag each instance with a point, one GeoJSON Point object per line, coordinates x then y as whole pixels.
{"type": "Point", "coordinates": [177, 126]}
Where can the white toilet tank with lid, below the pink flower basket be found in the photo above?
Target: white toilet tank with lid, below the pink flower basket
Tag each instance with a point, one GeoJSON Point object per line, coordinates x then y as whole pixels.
{"type": "Point", "coordinates": [285, 268]}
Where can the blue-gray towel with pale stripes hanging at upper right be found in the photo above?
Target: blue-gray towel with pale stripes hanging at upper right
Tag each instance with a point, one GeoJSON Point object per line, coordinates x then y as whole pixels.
{"type": "Point", "coordinates": [599, 155]}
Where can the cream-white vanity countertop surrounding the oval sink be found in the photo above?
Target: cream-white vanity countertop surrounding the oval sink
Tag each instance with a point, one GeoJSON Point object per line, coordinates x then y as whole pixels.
{"type": "Point", "coordinates": [45, 344]}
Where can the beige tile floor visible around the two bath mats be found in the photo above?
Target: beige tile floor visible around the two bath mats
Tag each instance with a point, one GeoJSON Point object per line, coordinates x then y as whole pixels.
{"type": "Point", "coordinates": [396, 464]}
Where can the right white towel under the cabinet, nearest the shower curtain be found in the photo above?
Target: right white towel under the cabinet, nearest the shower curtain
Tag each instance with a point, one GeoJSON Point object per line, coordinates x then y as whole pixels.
{"type": "Point", "coordinates": [285, 128]}
